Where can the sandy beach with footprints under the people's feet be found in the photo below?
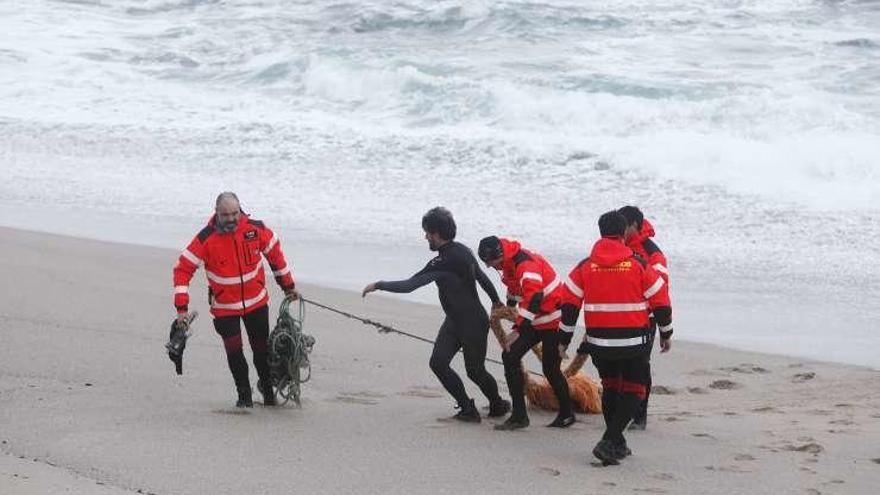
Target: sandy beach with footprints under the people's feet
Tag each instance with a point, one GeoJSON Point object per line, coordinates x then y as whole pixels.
{"type": "Point", "coordinates": [89, 403]}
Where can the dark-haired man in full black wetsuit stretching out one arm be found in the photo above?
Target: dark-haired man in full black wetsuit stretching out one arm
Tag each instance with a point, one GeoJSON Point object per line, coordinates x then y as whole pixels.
{"type": "Point", "coordinates": [455, 271]}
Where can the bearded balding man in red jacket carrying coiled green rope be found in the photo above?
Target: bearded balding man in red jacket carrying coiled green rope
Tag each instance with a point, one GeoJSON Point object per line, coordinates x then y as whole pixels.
{"type": "Point", "coordinates": [232, 247]}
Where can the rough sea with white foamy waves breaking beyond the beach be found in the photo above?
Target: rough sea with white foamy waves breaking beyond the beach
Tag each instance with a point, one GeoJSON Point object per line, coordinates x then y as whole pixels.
{"type": "Point", "coordinates": [749, 131]}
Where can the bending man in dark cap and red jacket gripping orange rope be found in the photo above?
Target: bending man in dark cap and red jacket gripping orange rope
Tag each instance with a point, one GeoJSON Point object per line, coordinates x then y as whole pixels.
{"type": "Point", "coordinates": [532, 285]}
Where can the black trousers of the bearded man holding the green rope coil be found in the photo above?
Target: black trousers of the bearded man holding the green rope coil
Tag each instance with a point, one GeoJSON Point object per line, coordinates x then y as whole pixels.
{"type": "Point", "coordinates": [257, 325]}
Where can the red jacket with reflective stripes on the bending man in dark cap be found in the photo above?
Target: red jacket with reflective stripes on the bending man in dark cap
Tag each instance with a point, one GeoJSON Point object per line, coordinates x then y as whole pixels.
{"type": "Point", "coordinates": [532, 282]}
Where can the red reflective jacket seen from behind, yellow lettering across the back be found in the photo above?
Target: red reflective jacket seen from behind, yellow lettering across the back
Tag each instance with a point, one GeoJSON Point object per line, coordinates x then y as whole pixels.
{"type": "Point", "coordinates": [618, 290]}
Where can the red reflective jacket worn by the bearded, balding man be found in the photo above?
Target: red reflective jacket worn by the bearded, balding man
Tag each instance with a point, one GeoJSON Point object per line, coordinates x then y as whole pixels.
{"type": "Point", "coordinates": [234, 267]}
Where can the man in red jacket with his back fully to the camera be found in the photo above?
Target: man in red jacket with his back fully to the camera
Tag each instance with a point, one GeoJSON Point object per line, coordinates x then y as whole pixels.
{"type": "Point", "coordinates": [618, 290]}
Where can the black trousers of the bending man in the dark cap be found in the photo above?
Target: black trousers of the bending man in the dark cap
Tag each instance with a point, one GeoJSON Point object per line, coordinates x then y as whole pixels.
{"type": "Point", "coordinates": [513, 372]}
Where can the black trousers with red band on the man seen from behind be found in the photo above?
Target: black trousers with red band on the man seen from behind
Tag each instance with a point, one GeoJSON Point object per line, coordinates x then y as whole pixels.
{"type": "Point", "coordinates": [623, 388]}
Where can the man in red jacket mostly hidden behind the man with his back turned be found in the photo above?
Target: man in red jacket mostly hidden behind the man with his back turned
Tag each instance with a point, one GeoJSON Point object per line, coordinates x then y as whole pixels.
{"type": "Point", "coordinates": [638, 237]}
